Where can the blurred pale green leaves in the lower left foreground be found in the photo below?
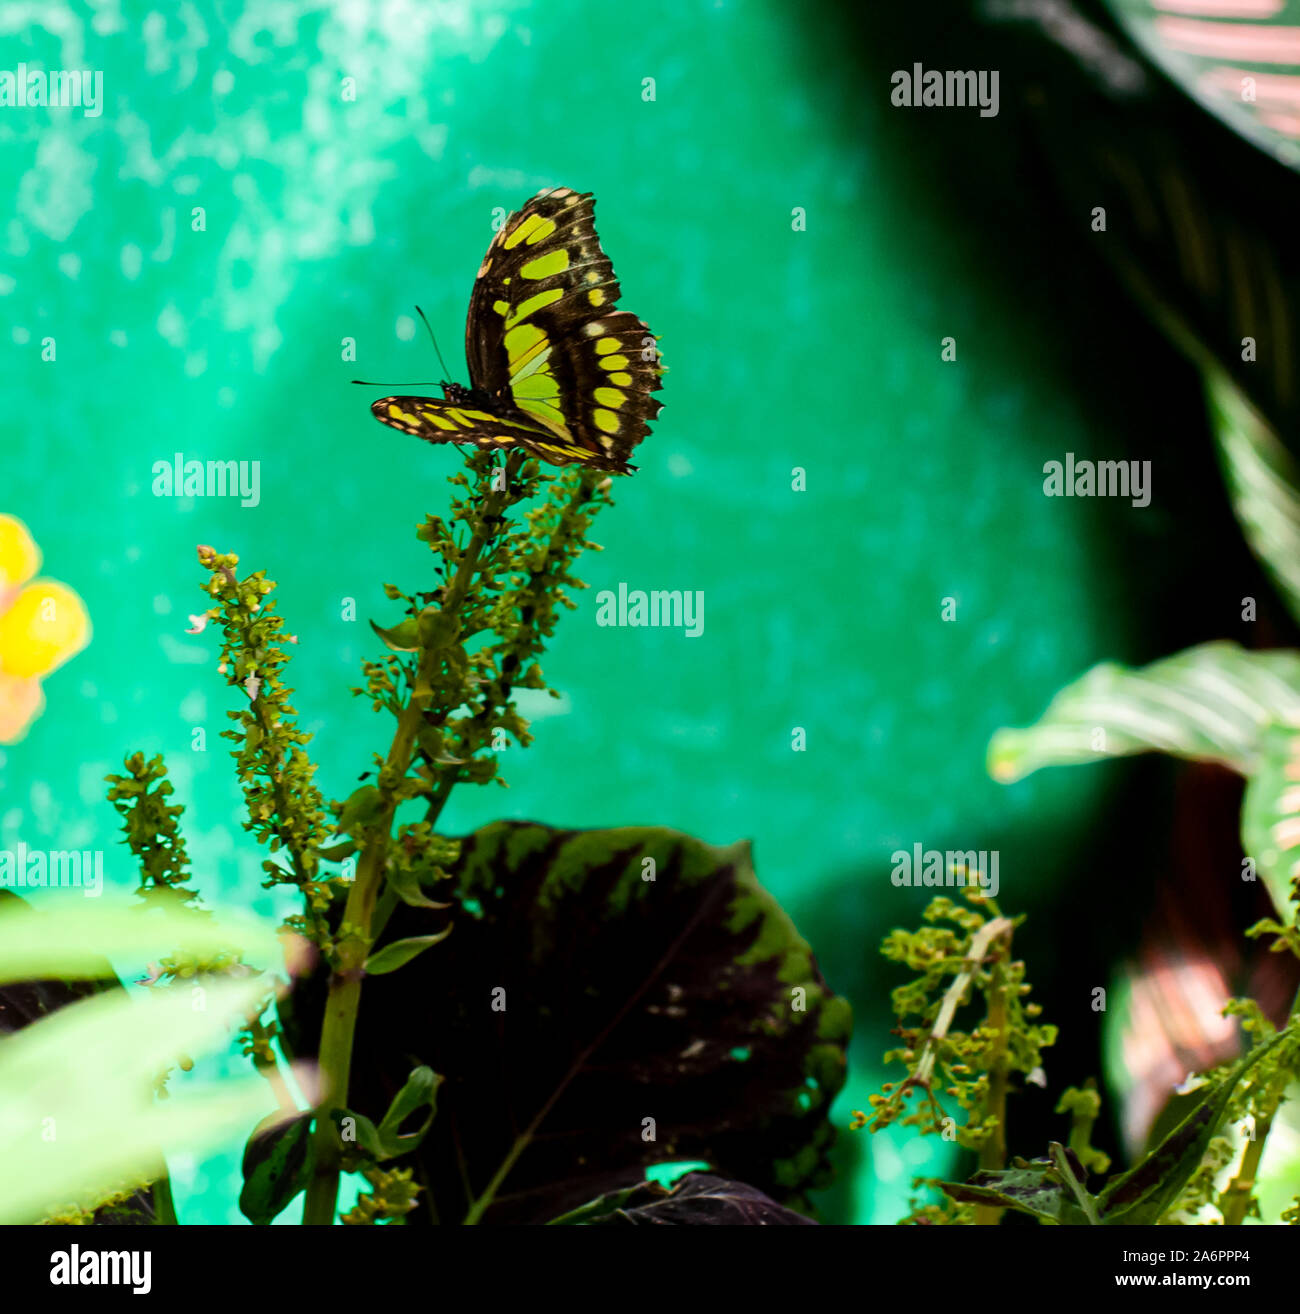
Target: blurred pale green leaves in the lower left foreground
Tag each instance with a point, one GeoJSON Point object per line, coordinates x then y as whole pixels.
{"type": "Point", "coordinates": [81, 1129]}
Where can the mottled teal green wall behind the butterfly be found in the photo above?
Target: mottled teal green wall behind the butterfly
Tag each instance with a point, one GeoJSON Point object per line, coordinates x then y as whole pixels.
{"type": "Point", "coordinates": [818, 349]}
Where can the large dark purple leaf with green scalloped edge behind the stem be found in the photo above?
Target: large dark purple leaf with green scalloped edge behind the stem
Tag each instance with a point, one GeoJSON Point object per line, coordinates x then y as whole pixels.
{"type": "Point", "coordinates": [582, 998]}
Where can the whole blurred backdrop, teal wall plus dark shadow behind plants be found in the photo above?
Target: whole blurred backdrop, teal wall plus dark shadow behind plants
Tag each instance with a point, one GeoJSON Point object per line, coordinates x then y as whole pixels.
{"type": "Point", "coordinates": [804, 248]}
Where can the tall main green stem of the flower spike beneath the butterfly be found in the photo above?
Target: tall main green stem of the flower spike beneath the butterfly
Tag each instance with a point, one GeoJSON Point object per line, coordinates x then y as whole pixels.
{"type": "Point", "coordinates": [345, 995]}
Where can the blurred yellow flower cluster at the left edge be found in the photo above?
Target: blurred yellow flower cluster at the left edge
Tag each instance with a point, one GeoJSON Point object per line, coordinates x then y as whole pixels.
{"type": "Point", "coordinates": [43, 625]}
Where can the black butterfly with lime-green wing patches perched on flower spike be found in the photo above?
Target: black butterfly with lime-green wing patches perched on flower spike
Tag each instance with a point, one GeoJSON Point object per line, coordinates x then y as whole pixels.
{"type": "Point", "coordinates": [554, 367]}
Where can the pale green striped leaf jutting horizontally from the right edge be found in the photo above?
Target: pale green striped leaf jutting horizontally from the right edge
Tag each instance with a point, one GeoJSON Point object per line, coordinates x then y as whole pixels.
{"type": "Point", "coordinates": [1210, 704]}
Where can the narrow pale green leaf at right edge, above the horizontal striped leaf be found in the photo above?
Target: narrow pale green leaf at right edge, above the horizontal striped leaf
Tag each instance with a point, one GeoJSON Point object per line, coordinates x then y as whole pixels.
{"type": "Point", "coordinates": [1263, 482]}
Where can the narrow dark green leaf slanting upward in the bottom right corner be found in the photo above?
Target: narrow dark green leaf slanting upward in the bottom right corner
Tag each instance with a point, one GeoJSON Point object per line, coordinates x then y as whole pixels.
{"type": "Point", "coordinates": [1142, 1195]}
